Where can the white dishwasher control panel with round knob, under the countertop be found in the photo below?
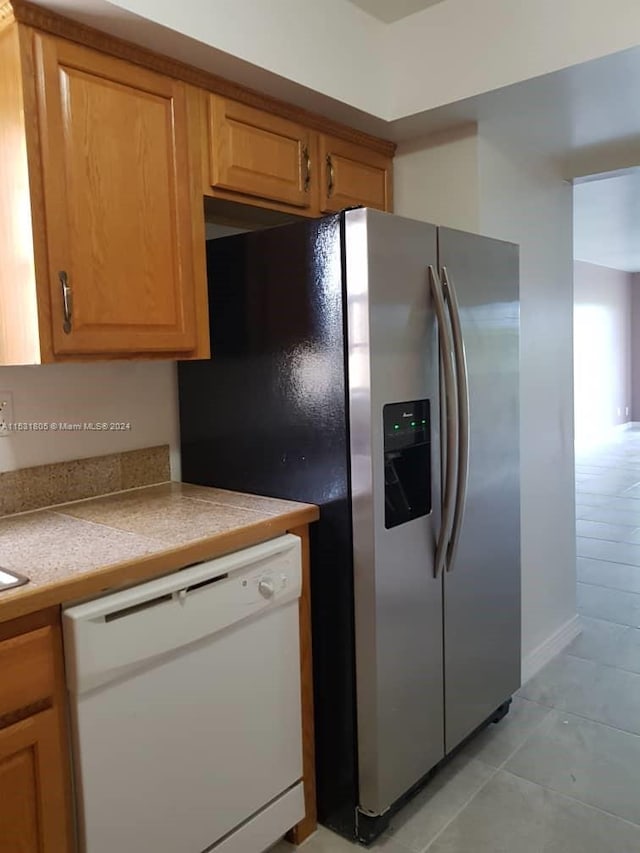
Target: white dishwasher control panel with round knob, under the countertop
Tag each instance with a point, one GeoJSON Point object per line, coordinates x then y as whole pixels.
{"type": "Point", "coordinates": [120, 631]}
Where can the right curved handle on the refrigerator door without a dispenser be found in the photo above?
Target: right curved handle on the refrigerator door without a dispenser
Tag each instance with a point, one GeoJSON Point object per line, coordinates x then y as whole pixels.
{"type": "Point", "coordinates": [462, 385]}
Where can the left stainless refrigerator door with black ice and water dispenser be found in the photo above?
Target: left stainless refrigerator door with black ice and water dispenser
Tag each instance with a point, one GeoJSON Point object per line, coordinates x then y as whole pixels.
{"type": "Point", "coordinates": [393, 359]}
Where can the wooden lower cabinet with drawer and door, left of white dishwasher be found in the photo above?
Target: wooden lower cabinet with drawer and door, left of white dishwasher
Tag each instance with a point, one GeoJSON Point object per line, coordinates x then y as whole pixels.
{"type": "Point", "coordinates": [35, 800]}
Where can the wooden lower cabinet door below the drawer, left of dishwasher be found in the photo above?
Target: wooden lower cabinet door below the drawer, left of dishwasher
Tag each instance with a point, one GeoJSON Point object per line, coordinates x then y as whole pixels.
{"type": "Point", "coordinates": [33, 807]}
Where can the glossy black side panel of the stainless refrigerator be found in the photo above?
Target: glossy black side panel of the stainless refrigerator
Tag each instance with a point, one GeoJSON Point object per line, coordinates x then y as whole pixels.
{"type": "Point", "coordinates": [267, 415]}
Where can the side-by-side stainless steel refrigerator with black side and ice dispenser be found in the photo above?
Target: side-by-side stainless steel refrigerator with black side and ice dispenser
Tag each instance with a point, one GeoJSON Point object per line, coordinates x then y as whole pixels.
{"type": "Point", "coordinates": [369, 364]}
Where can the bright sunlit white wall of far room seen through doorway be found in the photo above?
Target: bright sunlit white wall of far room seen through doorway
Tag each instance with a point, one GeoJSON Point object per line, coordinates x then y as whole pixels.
{"type": "Point", "coordinates": [602, 351]}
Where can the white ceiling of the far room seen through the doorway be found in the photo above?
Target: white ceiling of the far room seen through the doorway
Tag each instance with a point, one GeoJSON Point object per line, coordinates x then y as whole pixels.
{"type": "Point", "coordinates": [607, 220]}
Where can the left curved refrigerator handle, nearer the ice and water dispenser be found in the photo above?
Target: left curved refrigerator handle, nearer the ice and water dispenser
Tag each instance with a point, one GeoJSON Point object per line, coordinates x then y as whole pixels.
{"type": "Point", "coordinates": [452, 420]}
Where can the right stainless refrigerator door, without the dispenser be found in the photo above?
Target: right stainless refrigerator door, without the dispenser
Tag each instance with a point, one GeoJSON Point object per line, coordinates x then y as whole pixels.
{"type": "Point", "coordinates": [482, 584]}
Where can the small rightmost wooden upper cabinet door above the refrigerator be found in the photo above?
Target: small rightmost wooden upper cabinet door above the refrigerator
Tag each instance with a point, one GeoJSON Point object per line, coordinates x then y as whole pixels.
{"type": "Point", "coordinates": [352, 175]}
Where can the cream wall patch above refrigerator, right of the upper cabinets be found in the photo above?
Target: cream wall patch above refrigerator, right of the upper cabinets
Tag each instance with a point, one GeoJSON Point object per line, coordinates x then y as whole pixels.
{"type": "Point", "coordinates": [436, 179]}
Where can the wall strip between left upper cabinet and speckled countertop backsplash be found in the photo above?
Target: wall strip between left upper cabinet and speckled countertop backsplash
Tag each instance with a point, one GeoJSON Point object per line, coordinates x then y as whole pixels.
{"type": "Point", "coordinates": [141, 393]}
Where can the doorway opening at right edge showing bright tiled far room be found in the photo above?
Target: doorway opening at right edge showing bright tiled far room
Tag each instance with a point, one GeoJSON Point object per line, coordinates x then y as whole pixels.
{"type": "Point", "coordinates": [607, 411]}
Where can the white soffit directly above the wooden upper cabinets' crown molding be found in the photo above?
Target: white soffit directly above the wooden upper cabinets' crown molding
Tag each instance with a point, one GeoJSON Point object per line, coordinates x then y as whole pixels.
{"type": "Point", "coordinates": [331, 47]}
